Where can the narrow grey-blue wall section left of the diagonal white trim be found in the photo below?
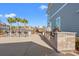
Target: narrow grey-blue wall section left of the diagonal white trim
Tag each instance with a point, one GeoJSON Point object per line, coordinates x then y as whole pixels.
{"type": "Point", "coordinates": [52, 8]}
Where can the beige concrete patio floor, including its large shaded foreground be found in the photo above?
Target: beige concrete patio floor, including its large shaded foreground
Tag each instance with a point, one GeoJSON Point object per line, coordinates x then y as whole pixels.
{"type": "Point", "coordinates": [33, 45]}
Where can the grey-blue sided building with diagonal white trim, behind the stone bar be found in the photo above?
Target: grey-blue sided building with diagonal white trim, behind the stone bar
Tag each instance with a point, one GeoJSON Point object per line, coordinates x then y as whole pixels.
{"type": "Point", "coordinates": [64, 16]}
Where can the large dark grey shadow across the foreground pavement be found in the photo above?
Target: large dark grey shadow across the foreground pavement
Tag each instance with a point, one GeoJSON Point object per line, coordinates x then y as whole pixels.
{"type": "Point", "coordinates": [24, 49]}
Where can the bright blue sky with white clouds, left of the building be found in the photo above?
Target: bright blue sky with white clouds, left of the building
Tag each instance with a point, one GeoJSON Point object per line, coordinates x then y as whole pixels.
{"type": "Point", "coordinates": [35, 13]}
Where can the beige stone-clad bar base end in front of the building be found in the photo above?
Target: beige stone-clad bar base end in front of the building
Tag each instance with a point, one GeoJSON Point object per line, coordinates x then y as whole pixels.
{"type": "Point", "coordinates": [64, 41]}
